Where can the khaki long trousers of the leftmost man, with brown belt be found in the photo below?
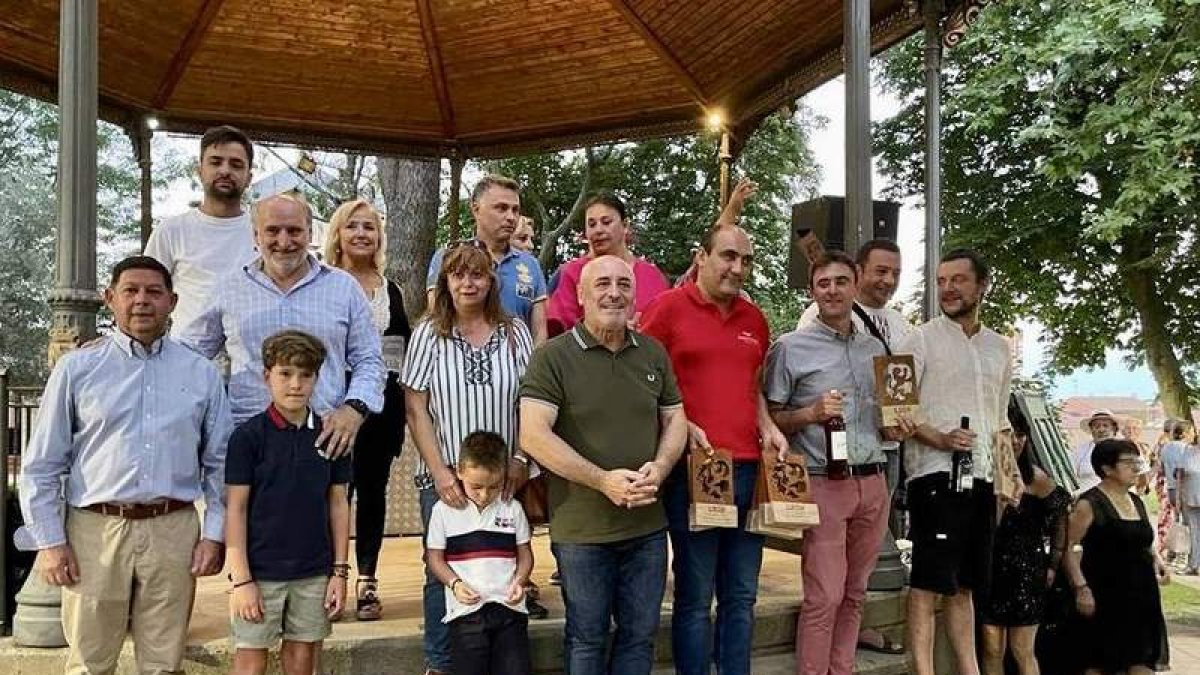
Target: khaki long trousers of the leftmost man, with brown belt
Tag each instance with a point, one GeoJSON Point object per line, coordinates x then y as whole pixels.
{"type": "Point", "coordinates": [131, 574]}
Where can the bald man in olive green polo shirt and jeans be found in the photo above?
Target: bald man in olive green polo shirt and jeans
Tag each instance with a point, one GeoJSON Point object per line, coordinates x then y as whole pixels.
{"type": "Point", "coordinates": [601, 410]}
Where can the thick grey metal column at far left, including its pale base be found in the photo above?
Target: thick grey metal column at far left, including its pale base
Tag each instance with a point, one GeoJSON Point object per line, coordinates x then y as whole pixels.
{"type": "Point", "coordinates": [74, 300]}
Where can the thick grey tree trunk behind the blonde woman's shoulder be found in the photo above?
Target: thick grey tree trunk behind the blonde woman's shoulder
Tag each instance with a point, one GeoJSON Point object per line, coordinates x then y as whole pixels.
{"type": "Point", "coordinates": [411, 194]}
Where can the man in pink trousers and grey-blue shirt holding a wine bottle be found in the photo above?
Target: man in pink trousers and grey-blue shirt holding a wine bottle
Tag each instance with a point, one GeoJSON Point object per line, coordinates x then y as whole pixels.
{"type": "Point", "coordinates": [814, 375]}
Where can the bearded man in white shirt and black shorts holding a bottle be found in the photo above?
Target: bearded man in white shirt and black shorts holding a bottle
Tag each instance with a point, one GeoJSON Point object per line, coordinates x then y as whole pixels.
{"type": "Point", "coordinates": [964, 373]}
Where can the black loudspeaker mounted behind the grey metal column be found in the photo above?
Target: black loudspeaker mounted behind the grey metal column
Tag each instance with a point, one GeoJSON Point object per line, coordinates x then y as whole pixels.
{"type": "Point", "coordinates": [826, 218]}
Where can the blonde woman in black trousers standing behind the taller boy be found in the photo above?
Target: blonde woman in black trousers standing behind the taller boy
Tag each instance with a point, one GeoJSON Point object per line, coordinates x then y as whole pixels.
{"type": "Point", "coordinates": [357, 243]}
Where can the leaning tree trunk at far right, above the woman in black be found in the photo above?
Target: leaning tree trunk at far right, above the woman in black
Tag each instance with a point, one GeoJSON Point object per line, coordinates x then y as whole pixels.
{"type": "Point", "coordinates": [1138, 271]}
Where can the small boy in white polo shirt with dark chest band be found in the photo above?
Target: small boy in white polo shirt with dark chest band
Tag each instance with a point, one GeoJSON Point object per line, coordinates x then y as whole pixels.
{"type": "Point", "coordinates": [482, 554]}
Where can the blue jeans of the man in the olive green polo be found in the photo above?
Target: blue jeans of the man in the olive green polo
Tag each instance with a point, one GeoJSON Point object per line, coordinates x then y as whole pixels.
{"type": "Point", "coordinates": [620, 582]}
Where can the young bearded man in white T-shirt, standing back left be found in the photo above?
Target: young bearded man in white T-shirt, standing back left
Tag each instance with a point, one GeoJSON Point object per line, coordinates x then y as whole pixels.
{"type": "Point", "coordinates": [207, 243]}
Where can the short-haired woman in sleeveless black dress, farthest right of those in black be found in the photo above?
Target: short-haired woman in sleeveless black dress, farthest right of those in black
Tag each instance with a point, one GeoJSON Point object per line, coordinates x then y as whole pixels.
{"type": "Point", "coordinates": [1115, 572]}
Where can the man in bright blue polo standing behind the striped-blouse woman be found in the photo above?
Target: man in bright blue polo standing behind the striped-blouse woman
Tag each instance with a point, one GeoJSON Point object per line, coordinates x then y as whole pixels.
{"type": "Point", "coordinates": [496, 207]}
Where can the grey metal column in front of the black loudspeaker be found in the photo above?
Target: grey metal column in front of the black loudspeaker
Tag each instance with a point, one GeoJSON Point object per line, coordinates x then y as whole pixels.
{"type": "Point", "coordinates": [857, 31]}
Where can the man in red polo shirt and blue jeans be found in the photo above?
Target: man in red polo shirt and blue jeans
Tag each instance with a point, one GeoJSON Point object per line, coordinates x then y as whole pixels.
{"type": "Point", "coordinates": [717, 342]}
